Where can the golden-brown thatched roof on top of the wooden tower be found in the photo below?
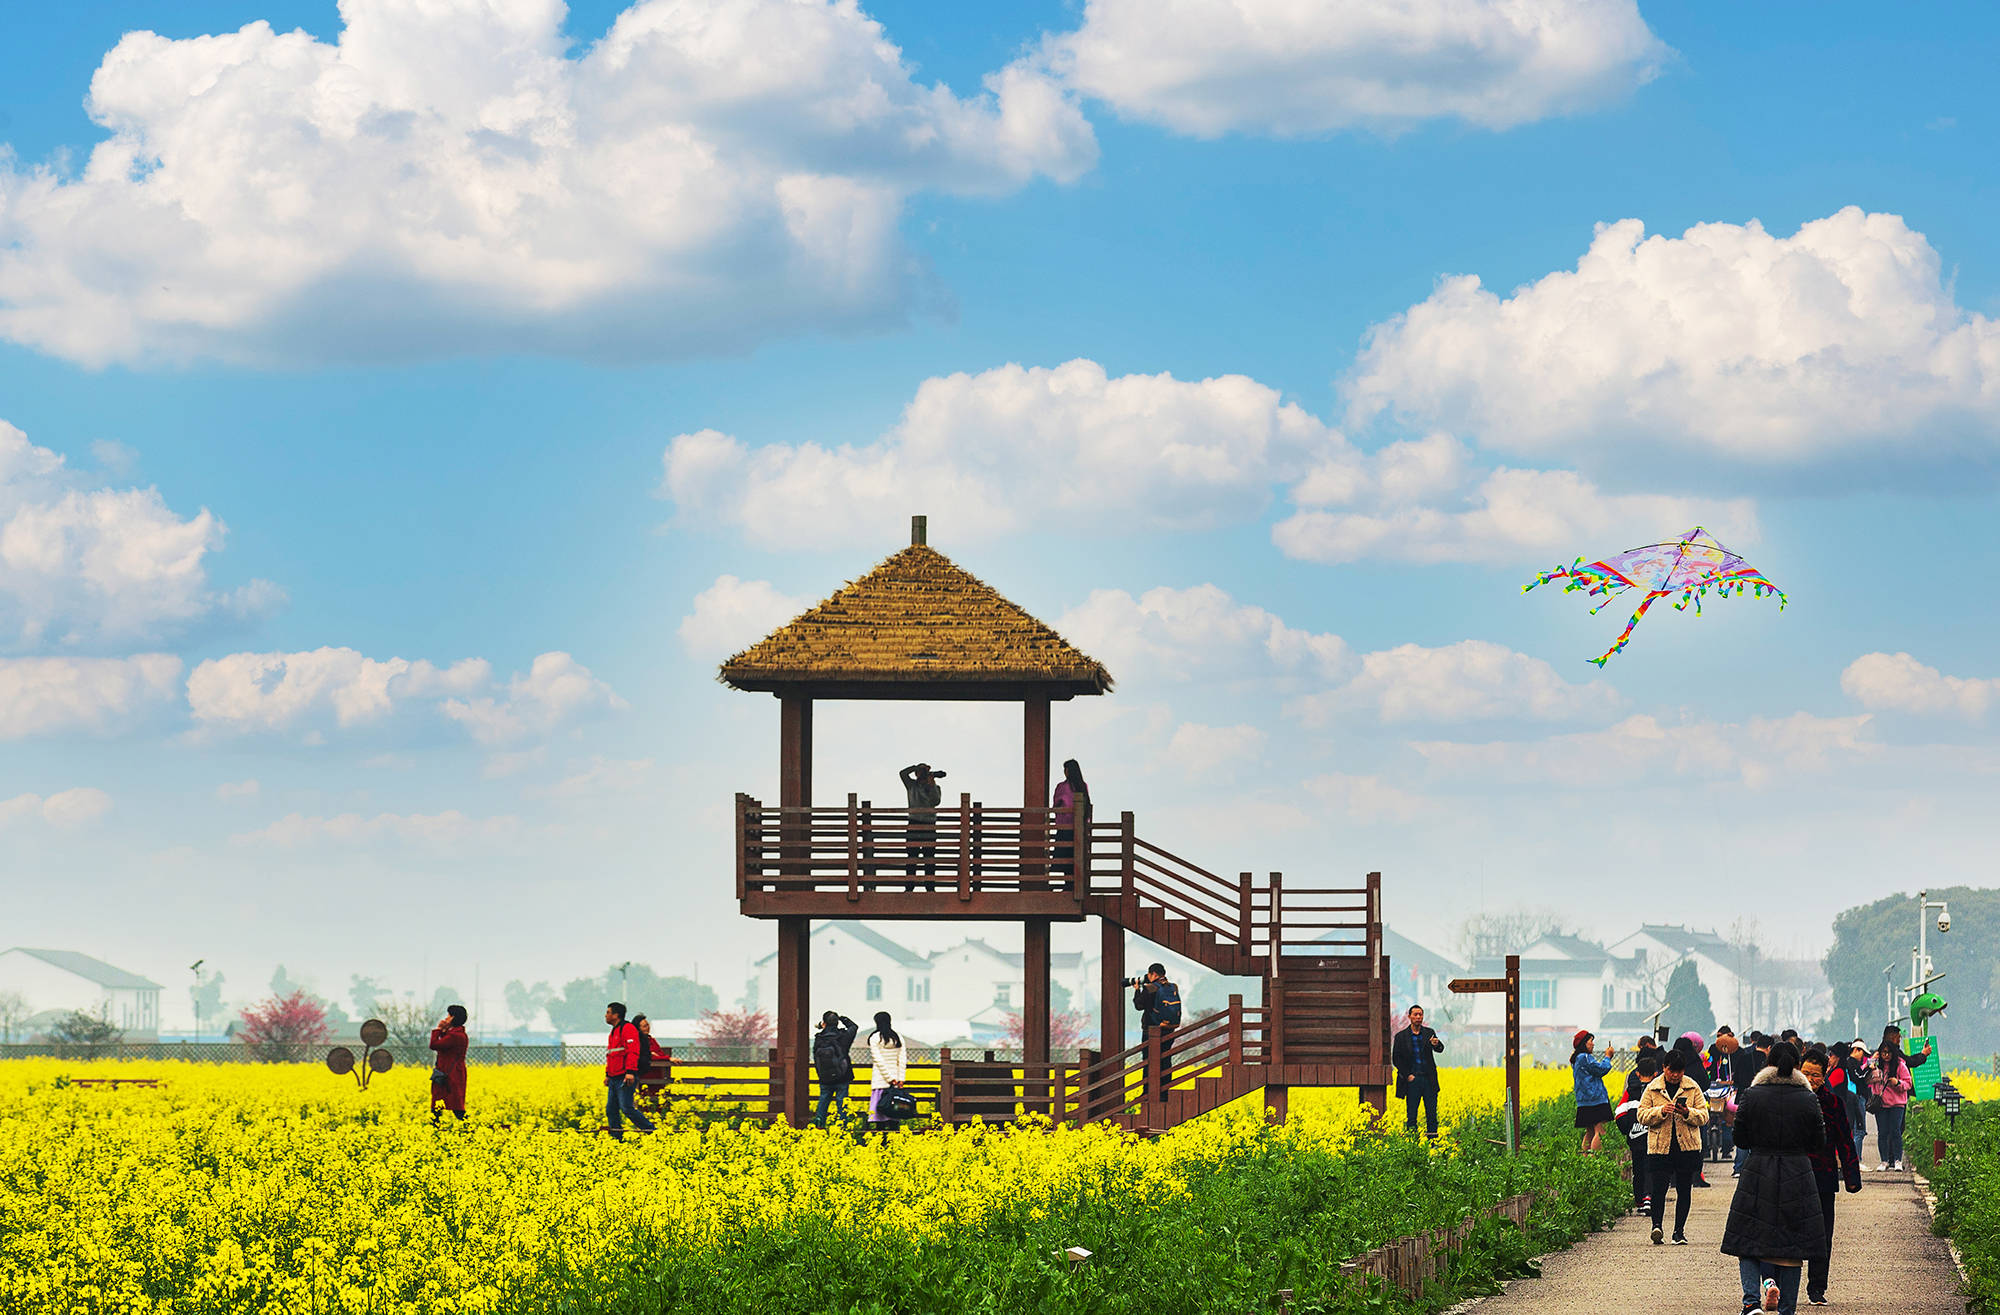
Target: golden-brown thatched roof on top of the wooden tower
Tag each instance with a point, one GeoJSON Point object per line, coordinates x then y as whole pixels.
{"type": "Point", "coordinates": [917, 627]}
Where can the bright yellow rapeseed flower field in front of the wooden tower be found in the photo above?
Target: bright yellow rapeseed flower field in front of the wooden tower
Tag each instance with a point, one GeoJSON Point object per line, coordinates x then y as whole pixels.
{"type": "Point", "coordinates": [285, 1188]}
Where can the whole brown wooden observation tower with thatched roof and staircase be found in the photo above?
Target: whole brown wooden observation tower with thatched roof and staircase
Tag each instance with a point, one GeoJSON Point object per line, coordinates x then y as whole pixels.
{"type": "Point", "coordinates": [923, 629]}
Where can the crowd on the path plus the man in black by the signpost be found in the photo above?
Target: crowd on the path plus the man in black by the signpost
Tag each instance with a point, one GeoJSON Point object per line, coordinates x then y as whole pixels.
{"type": "Point", "coordinates": [1789, 1116]}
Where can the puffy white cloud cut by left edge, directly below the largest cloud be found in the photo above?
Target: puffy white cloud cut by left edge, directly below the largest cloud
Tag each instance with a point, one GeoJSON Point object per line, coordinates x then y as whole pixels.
{"type": "Point", "coordinates": [85, 567]}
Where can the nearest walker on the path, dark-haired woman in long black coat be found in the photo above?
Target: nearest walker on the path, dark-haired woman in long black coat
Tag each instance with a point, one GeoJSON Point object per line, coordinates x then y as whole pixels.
{"type": "Point", "coordinates": [1775, 1222]}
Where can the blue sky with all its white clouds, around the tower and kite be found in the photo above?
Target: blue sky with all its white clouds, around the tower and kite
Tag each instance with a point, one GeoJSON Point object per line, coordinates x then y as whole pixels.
{"type": "Point", "coordinates": [433, 323]}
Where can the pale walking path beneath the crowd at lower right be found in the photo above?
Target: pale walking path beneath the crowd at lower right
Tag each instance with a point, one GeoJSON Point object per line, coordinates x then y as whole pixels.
{"type": "Point", "coordinates": [1885, 1260]}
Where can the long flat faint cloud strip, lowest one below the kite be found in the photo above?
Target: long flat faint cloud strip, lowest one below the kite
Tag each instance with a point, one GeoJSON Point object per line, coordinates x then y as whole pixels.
{"type": "Point", "coordinates": [1641, 748]}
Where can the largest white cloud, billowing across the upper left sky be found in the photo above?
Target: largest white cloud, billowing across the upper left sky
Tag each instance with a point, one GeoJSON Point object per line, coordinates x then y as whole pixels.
{"type": "Point", "coordinates": [447, 177]}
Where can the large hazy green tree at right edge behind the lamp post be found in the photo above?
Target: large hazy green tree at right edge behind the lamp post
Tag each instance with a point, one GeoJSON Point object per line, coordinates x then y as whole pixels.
{"type": "Point", "coordinates": [1875, 936]}
